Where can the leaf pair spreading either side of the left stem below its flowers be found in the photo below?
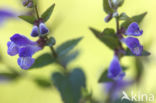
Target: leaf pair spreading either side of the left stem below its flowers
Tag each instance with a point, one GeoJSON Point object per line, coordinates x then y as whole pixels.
{"type": "Point", "coordinates": [62, 52]}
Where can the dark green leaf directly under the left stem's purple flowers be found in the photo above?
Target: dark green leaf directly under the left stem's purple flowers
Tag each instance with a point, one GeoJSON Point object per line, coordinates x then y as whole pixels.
{"type": "Point", "coordinates": [43, 60]}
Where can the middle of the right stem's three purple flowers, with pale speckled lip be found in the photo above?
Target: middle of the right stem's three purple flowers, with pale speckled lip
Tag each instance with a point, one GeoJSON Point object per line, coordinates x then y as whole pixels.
{"type": "Point", "coordinates": [134, 45]}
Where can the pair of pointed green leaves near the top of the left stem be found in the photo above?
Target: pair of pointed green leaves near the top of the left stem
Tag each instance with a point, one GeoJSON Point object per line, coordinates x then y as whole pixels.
{"type": "Point", "coordinates": [45, 16]}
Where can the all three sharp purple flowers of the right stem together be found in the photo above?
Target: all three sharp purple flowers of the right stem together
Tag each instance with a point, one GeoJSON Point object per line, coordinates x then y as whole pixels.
{"type": "Point", "coordinates": [115, 70]}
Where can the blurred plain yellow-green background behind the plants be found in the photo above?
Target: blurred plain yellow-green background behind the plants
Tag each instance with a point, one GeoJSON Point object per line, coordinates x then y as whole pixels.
{"type": "Point", "coordinates": [71, 19]}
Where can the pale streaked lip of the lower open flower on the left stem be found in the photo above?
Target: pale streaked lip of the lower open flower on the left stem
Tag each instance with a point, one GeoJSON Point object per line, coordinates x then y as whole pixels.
{"type": "Point", "coordinates": [25, 62]}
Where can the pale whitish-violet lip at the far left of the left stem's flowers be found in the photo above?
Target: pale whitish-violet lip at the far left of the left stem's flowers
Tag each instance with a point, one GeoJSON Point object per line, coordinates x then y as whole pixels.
{"type": "Point", "coordinates": [12, 48]}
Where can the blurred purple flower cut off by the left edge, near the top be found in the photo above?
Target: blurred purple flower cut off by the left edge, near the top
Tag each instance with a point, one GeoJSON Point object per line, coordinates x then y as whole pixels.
{"type": "Point", "coordinates": [6, 14]}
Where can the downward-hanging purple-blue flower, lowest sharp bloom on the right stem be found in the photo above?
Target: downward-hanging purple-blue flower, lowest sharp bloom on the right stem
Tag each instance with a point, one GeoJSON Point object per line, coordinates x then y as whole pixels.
{"type": "Point", "coordinates": [115, 71]}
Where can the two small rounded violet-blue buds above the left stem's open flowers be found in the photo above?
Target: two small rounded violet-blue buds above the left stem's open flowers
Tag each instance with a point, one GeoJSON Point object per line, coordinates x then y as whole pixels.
{"type": "Point", "coordinates": [39, 31]}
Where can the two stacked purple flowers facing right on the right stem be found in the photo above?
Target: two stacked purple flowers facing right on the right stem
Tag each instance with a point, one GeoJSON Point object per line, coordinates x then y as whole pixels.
{"type": "Point", "coordinates": [133, 43]}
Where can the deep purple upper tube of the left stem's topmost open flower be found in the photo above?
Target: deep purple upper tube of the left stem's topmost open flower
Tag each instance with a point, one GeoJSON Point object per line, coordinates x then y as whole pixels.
{"type": "Point", "coordinates": [21, 40]}
